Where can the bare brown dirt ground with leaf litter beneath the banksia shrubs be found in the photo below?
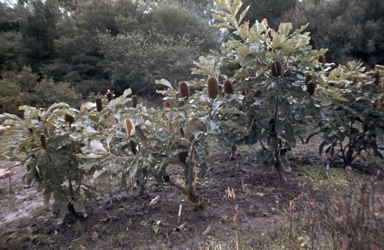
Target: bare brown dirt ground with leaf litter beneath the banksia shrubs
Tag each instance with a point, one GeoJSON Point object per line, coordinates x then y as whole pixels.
{"type": "Point", "coordinates": [123, 220]}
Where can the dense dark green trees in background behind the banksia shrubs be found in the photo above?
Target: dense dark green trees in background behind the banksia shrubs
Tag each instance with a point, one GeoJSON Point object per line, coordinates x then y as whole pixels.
{"type": "Point", "coordinates": [94, 45]}
